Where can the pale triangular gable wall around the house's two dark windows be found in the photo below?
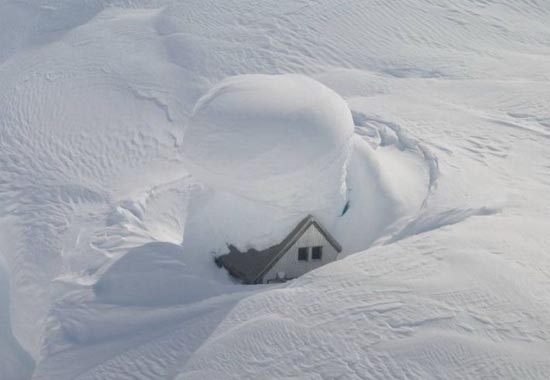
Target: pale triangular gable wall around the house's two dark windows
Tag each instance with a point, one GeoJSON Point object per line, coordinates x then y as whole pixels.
{"type": "Point", "coordinates": [289, 262]}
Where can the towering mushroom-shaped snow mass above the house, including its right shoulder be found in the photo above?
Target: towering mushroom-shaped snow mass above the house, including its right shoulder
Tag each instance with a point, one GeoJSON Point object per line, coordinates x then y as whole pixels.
{"type": "Point", "coordinates": [270, 149]}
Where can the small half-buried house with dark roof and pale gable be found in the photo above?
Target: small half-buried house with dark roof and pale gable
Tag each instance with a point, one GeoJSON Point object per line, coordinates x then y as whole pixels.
{"type": "Point", "coordinates": [308, 246]}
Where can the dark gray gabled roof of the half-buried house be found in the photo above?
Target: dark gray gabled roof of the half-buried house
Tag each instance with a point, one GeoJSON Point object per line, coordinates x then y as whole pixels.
{"type": "Point", "coordinates": [250, 266]}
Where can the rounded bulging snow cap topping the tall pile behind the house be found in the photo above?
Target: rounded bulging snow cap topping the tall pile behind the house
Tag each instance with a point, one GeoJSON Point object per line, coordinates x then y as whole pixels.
{"type": "Point", "coordinates": [266, 137]}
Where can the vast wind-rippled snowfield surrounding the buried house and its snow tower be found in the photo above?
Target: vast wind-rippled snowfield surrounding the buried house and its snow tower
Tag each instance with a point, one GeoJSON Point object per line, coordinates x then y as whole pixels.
{"type": "Point", "coordinates": [455, 95]}
